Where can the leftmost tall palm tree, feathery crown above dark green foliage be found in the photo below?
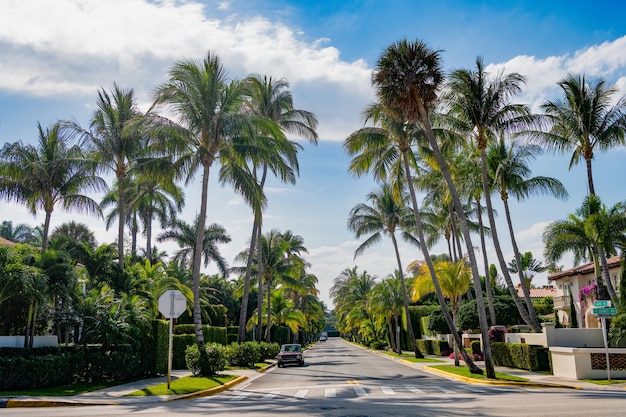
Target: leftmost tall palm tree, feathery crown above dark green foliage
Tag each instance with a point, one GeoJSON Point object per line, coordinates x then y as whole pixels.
{"type": "Point", "coordinates": [48, 175]}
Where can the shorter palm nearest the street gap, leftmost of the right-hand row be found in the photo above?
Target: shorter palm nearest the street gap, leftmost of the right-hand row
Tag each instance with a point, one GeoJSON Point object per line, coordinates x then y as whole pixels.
{"type": "Point", "coordinates": [385, 216]}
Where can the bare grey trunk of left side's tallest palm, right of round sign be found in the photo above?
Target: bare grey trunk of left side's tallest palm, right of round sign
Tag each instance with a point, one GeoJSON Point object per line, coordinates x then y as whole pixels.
{"type": "Point", "coordinates": [197, 259]}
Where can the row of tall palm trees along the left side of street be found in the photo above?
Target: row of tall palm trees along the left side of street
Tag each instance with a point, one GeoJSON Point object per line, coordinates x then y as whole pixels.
{"type": "Point", "coordinates": [240, 126]}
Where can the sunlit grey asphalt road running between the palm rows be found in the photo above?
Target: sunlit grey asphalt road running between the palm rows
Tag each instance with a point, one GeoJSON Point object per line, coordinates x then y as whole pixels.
{"type": "Point", "coordinates": [340, 379]}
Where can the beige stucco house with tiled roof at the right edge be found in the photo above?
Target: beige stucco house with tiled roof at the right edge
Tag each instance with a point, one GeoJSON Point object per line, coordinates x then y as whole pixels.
{"type": "Point", "coordinates": [568, 284]}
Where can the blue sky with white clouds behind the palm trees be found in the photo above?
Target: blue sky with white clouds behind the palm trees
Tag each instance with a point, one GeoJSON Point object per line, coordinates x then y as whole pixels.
{"type": "Point", "coordinates": [55, 56]}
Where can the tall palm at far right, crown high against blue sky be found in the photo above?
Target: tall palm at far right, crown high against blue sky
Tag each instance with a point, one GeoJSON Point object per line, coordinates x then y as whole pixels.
{"type": "Point", "coordinates": [583, 121]}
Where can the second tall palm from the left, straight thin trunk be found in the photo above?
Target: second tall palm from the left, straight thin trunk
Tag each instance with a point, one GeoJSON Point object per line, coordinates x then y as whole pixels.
{"type": "Point", "coordinates": [115, 147]}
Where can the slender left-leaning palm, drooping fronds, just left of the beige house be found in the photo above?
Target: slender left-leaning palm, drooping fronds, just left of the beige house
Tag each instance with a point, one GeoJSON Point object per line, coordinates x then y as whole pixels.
{"type": "Point", "coordinates": [510, 173]}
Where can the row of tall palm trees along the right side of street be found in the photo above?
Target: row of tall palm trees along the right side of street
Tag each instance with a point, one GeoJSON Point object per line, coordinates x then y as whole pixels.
{"type": "Point", "coordinates": [458, 139]}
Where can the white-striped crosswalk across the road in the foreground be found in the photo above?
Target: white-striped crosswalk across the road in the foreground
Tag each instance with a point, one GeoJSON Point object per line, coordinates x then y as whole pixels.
{"type": "Point", "coordinates": [358, 390]}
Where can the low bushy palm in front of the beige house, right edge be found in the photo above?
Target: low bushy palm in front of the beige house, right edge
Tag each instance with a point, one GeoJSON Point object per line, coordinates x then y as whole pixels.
{"type": "Point", "coordinates": [592, 233]}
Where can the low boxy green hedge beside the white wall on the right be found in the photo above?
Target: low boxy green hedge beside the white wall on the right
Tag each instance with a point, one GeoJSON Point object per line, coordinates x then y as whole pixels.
{"type": "Point", "coordinates": [521, 356]}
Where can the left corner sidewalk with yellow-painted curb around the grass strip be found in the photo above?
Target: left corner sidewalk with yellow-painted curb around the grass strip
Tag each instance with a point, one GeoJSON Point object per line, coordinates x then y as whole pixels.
{"type": "Point", "coordinates": [116, 395]}
